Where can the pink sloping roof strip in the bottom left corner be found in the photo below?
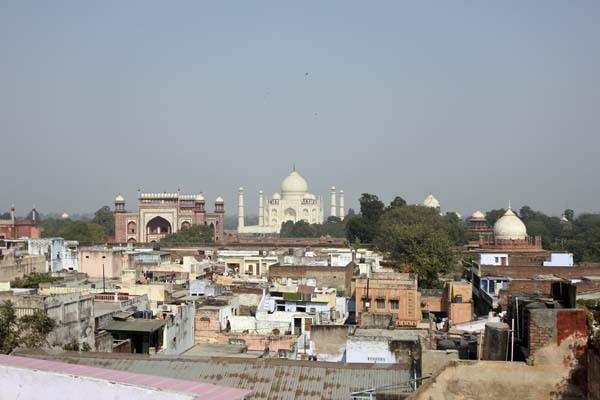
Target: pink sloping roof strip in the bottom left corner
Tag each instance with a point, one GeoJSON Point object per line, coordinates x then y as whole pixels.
{"type": "Point", "coordinates": [198, 390]}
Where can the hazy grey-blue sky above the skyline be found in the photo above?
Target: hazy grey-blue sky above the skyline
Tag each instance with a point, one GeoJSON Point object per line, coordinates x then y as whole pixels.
{"type": "Point", "coordinates": [476, 102]}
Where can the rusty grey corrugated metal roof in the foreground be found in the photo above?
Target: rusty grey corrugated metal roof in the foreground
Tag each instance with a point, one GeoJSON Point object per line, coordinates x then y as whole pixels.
{"type": "Point", "coordinates": [268, 379]}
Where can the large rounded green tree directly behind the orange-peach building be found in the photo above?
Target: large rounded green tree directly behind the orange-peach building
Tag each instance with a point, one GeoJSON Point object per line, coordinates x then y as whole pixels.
{"type": "Point", "coordinates": [417, 237]}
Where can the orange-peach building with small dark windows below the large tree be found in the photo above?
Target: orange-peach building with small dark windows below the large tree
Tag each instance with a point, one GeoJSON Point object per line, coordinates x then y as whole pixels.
{"type": "Point", "coordinates": [389, 293]}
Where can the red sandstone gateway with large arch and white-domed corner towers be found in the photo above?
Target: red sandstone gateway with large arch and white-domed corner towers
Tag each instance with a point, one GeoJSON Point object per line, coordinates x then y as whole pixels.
{"type": "Point", "coordinates": [160, 214]}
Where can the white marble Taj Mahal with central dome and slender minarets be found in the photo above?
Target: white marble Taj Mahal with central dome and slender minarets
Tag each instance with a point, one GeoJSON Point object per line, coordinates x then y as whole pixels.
{"type": "Point", "coordinates": [294, 203]}
